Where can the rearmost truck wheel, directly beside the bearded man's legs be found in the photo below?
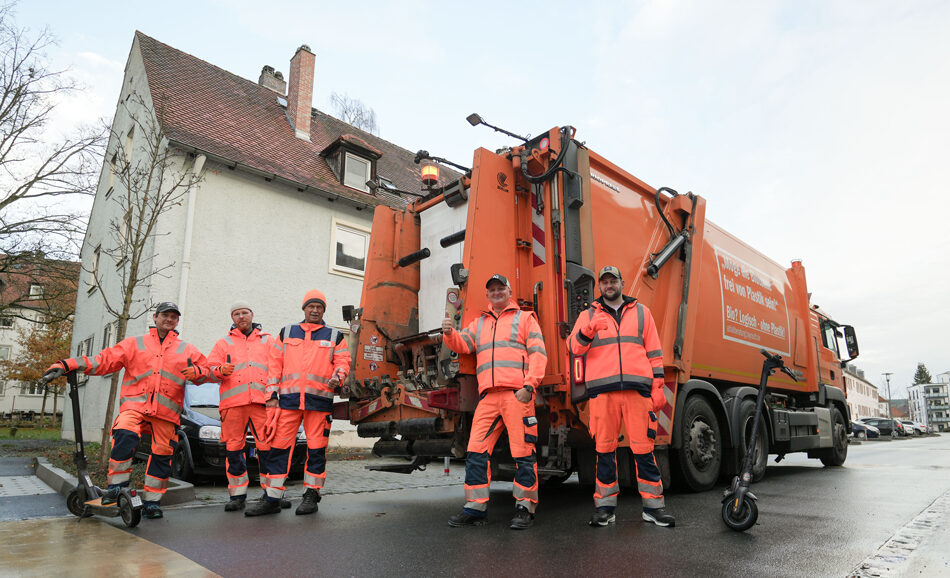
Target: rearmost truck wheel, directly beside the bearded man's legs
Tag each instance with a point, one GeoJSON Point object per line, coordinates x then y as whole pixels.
{"type": "Point", "coordinates": [700, 458]}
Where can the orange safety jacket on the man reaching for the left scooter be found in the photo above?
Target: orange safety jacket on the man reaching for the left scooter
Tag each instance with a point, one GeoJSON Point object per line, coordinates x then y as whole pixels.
{"type": "Point", "coordinates": [152, 384]}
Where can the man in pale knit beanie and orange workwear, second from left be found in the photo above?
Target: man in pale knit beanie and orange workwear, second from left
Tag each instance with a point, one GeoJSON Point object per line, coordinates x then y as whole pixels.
{"type": "Point", "coordinates": [239, 363]}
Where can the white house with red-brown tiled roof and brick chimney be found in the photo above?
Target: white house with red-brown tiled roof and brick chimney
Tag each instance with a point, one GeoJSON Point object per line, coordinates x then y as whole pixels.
{"type": "Point", "coordinates": [277, 203]}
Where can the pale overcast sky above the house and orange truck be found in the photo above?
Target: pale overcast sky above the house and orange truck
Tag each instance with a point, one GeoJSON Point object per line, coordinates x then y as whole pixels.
{"type": "Point", "coordinates": [816, 130]}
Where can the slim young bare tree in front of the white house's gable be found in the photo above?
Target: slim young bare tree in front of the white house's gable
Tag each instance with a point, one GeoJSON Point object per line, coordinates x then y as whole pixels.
{"type": "Point", "coordinates": [150, 179]}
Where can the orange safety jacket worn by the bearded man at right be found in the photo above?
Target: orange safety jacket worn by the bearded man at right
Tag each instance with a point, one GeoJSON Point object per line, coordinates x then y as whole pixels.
{"type": "Point", "coordinates": [623, 356]}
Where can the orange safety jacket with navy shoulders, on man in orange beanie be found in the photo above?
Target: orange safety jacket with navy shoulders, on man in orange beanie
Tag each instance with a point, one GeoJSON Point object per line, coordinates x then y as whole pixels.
{"type": "Point", "coordinates": [301, 368]}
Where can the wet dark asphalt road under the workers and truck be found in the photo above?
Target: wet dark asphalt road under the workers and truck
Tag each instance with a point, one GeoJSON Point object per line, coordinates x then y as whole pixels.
{"type": "Point", "coordinates": [813, 521]}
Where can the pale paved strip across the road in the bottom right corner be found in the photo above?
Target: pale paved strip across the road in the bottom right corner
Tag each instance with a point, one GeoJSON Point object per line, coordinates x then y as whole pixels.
{"type": "Point", "coordinates": [892, 557]}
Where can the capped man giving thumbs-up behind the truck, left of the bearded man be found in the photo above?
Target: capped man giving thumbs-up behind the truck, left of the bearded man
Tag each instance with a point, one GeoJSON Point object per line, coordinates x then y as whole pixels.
{"type": "Point", "coordinates": [510, 361]}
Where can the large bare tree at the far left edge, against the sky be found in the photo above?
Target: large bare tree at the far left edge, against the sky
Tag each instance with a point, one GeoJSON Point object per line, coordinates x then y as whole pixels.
{"type": "Point", "coordinates": [38, 172]}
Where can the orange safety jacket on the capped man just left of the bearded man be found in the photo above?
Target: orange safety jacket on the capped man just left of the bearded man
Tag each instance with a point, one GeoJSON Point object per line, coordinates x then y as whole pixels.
{"type": "Point", "coordinates": [509, 349]}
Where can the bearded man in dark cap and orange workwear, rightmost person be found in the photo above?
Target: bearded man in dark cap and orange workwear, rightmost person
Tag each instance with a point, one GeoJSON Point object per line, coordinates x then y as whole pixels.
{"type": "Point", "coordinates": [624, 378]}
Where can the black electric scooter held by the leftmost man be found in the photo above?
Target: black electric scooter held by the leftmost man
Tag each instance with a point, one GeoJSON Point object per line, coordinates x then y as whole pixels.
{"type": "Point", "coordinates": [85, 499]}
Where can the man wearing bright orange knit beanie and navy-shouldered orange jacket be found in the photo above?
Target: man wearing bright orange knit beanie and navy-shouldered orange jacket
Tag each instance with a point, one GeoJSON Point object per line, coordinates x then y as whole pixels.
{"type": "Point", "coordinates": [311, 363]}
